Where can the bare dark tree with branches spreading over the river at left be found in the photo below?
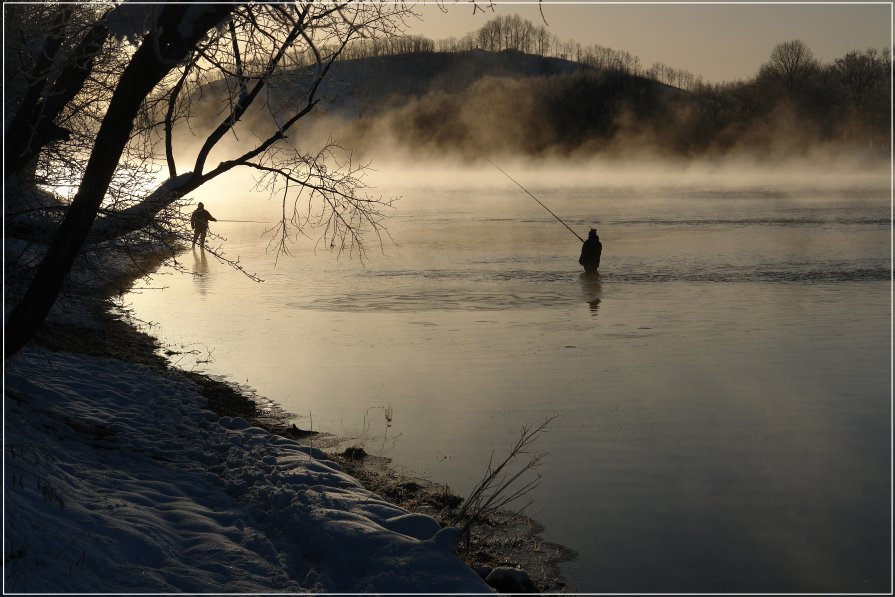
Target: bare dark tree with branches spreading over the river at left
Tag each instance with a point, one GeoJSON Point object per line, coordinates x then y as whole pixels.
{"type": "Point", "coordinates": [248, 56]}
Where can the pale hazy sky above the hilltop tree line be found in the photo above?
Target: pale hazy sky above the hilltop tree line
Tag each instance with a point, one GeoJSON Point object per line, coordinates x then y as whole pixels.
{"type": "Point", "coordinates": [720, 41]}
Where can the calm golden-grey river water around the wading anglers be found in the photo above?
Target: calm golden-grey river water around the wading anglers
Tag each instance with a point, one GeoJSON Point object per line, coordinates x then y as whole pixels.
{"type": "Point", "coordinates": [722, 389]}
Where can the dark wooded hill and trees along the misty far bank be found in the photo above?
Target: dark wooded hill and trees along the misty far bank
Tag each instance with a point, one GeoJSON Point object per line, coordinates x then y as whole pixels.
{"type": "Point", "coordinates": [513, 87]}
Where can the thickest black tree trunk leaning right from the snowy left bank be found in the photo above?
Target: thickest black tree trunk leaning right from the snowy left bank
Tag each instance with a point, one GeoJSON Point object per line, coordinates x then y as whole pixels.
{"type": "Point", "coordinates": [160, 52]}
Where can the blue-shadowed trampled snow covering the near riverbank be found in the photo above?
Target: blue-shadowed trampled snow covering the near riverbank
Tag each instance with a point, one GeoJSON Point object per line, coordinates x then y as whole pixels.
{"type": "Point", "coordinates": [118, 480]}
